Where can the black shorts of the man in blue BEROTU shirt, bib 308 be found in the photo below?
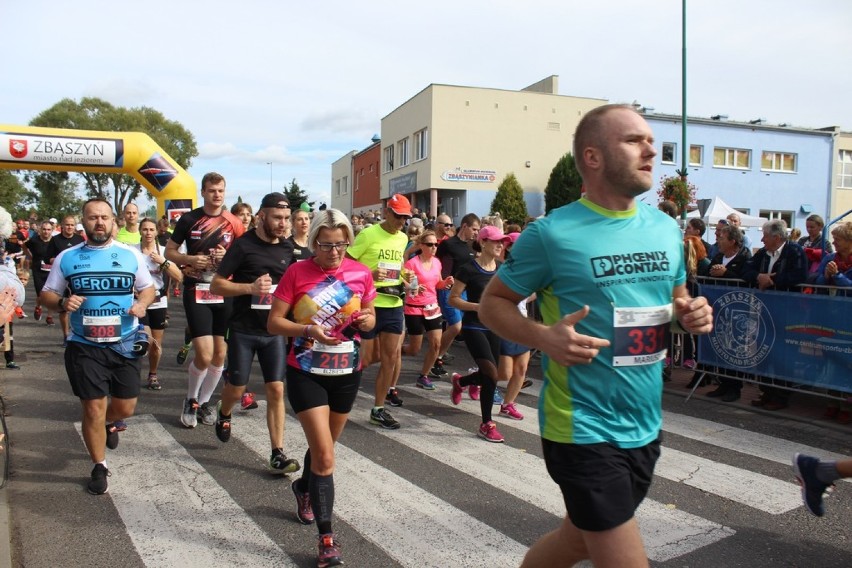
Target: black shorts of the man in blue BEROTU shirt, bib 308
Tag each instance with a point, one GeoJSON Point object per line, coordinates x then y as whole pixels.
{"type": "Point", "coordinates": [96, 372]}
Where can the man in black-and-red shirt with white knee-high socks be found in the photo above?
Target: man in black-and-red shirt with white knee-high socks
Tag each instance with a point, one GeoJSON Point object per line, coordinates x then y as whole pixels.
{"type": "Point", "coordinates": [208, 232]}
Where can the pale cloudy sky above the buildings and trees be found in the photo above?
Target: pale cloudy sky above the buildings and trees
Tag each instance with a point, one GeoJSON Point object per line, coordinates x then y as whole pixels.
{"type": "Point", "coordinates": [299, 84]}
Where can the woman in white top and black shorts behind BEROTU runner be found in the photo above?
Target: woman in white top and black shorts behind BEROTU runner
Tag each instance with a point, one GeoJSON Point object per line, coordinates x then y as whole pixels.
{"type": "Point", "coordinates": [155, 318]}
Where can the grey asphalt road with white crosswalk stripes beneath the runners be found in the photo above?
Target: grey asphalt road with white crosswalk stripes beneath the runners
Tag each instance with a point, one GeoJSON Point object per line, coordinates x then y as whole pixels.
{"type": "Point", "coordinates": [430, 494]}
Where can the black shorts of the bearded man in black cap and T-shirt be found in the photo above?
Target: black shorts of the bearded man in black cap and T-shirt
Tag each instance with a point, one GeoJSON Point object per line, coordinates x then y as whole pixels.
{"type": "Point", "coordinates": [271, 353]}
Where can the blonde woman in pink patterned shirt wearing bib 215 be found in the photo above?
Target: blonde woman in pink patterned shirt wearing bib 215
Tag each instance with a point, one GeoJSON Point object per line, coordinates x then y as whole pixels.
{"type": "Point", "coordinates": [330, 299]}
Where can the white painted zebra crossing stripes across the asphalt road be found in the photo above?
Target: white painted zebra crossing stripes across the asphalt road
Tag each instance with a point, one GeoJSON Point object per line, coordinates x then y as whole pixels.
{"type": "Point", "coordinates": [184, 512]}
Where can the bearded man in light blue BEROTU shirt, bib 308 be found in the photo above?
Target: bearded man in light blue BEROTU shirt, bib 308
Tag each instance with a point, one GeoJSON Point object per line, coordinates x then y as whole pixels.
{"type": "Point", "coordinates": [101, 358]}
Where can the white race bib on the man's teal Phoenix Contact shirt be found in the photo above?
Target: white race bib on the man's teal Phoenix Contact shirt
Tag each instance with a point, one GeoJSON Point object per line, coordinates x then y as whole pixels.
{"type": "Point", "coordinates": [641, 335]}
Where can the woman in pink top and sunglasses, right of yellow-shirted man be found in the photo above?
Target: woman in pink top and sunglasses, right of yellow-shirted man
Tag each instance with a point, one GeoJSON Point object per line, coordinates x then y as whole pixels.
{"type": "Point", "coordinates": [422, 312]}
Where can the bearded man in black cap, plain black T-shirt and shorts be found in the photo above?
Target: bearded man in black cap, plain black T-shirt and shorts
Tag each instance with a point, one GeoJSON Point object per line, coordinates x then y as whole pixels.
{"type": "Point", "coordinates": [249, 273]}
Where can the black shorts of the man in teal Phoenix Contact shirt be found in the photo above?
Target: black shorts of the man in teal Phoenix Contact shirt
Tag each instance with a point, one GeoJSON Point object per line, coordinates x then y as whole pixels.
{"type": "Point", "coordinates": [602, 485]}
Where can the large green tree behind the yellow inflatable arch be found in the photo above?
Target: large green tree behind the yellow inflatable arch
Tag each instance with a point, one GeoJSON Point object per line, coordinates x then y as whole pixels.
{"type": "Point", "coordinates": [96, 114]}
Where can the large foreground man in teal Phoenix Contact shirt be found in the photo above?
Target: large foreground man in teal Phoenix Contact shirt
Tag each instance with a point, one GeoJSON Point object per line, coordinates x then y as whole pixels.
{"type": "Point", "coordinates": [606, 307]}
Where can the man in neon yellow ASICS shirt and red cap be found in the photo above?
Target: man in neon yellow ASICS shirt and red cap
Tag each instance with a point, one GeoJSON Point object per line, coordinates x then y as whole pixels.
{"type": "Point", "coordinates": [380, 248]}
